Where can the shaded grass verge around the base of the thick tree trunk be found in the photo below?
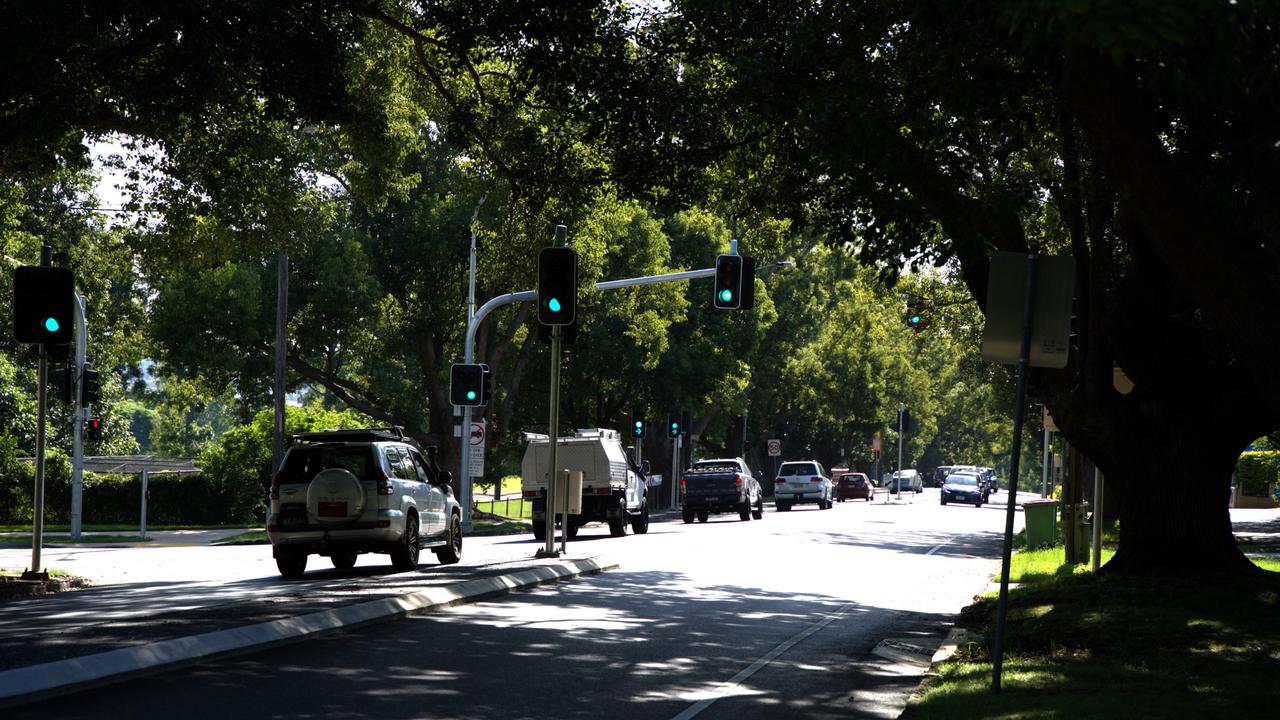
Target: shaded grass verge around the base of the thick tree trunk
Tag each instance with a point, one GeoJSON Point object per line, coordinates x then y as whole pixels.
{"type": "Point", "coordinates": [1080, 645]}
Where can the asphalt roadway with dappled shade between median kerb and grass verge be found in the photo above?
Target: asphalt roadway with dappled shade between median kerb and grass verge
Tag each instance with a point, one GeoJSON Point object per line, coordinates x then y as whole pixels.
{"type": "Point", "coordinates": [778, 618]}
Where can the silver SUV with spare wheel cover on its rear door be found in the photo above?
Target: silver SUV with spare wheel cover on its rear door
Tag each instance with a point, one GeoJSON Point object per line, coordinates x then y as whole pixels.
{"type": "Point", "coordinates": [342, 494]}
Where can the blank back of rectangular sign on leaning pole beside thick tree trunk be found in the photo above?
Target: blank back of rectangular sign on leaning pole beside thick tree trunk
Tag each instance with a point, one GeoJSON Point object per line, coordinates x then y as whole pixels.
{"type": "Point", "coordinates": [1052, 317]}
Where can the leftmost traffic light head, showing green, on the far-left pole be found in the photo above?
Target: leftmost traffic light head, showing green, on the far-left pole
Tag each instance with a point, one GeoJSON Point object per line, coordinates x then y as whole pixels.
{"type": "Point", "coordinates": [43, 304]}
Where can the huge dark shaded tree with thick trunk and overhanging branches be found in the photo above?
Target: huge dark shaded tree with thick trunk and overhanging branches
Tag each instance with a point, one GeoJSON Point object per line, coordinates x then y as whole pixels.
{"type": "Point", "coordinates": [1127, 138]}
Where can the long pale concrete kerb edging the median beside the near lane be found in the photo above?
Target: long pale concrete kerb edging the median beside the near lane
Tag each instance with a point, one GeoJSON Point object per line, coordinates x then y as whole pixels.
{"type": "Point", "coordinates": [36, 682]}
